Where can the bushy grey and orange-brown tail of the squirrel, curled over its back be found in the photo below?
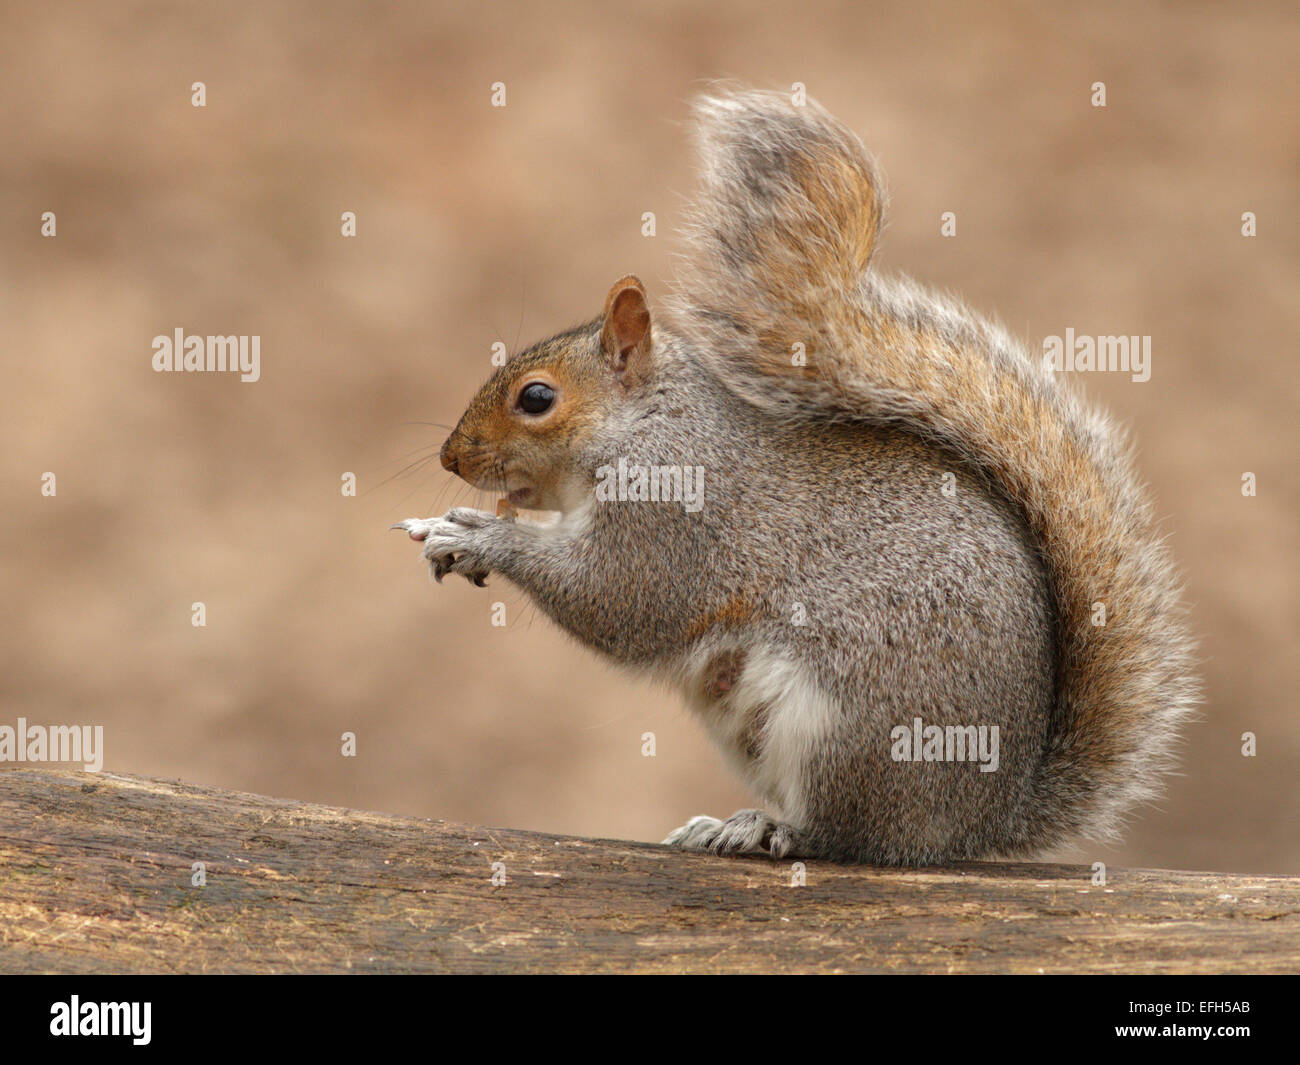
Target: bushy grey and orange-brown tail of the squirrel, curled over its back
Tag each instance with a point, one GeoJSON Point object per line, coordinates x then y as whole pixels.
{"type": "Point", "coordinates": [778, 296]}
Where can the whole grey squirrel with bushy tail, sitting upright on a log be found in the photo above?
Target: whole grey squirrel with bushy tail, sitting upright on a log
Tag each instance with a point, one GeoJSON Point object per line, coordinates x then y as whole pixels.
{"type": "Point", "coordinates": [911, 538]}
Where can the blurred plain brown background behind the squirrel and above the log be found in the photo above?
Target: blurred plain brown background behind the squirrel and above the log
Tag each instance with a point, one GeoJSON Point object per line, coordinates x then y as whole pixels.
{"type": "Point", "coordinates": [479, 224]}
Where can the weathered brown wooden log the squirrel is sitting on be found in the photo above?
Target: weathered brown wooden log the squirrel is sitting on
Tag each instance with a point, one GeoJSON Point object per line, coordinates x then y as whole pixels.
{"type": "Point", "coordinates": [97, 876]}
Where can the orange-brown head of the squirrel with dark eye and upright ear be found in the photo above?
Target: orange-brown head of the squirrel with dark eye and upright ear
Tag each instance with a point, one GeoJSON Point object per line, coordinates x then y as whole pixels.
{"type": "Point", "coordinates": [525, 432]}
